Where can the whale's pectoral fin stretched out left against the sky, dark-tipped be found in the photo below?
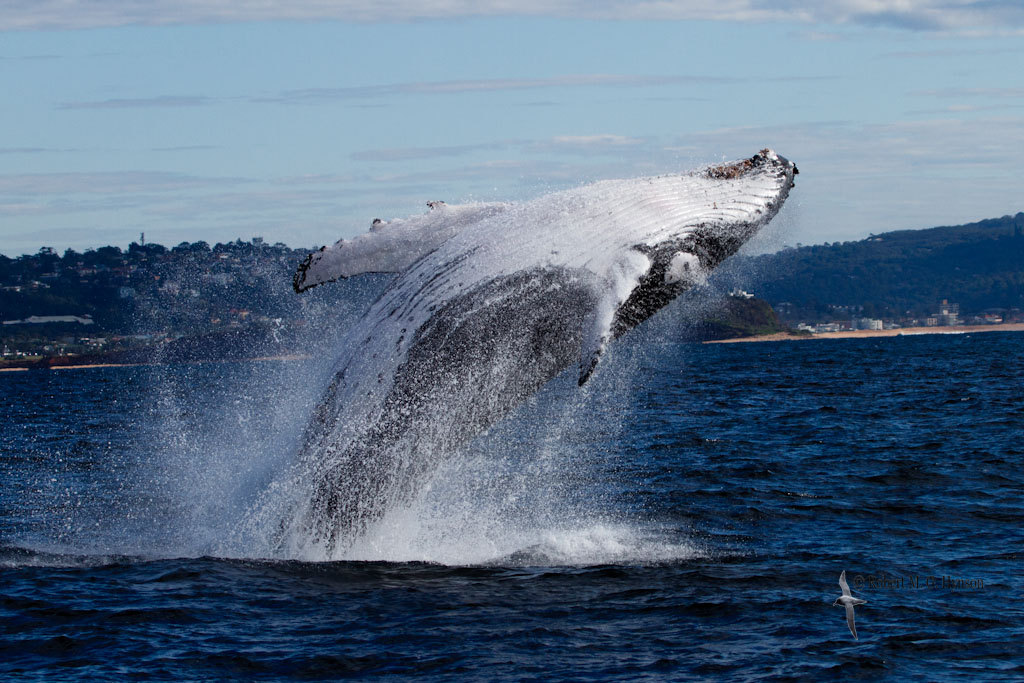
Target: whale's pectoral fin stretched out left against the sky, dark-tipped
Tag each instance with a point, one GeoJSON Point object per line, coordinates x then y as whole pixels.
{"type": "Point", "coordinates": [390, 246]}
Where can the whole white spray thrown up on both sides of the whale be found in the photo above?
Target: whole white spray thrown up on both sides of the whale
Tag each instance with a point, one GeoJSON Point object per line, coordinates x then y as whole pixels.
{"type": "Point", "coordinates": [546, 487]}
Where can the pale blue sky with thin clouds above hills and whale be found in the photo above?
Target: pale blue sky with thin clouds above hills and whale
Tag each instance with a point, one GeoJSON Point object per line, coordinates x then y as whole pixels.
{"type": "Point", "coordinates": [302, 121]}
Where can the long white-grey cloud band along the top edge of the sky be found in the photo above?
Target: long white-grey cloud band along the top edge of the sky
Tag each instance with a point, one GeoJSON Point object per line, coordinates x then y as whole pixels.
{"type": "Point", "coordinates": [955, 16]}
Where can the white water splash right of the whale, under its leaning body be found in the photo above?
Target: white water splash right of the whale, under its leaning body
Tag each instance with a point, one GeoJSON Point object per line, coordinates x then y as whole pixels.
{"type": "Point", "coordinates": [538, 489]}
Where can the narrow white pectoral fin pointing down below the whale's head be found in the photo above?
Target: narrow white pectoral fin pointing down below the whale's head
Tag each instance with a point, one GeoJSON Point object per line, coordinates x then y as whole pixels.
{"type": "Point", "coordinates": [622, 279]}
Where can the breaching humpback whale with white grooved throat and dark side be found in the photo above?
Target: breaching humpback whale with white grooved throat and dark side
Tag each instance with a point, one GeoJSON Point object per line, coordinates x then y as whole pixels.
{"type": "Point", "coordinates": [491, 302]}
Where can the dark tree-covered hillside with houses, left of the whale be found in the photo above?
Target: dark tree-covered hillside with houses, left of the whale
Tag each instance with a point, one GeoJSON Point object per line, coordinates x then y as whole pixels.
{"type": "Point", "coordinates": [148, 295]}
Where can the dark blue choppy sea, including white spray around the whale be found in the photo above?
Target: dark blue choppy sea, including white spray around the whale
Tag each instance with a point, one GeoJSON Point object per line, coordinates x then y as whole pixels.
{"type": "Point", "coordinates": [687, 517]}
